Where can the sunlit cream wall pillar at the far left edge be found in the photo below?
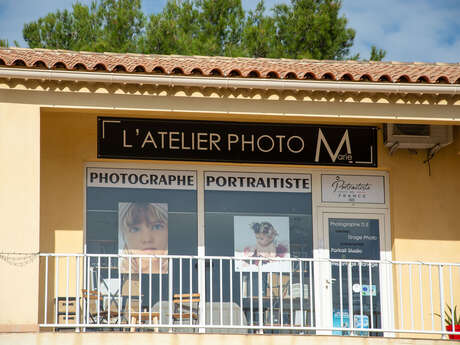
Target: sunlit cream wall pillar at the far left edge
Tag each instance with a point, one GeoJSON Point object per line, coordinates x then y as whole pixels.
{"type": "Point", "coordinates": [19, 211]}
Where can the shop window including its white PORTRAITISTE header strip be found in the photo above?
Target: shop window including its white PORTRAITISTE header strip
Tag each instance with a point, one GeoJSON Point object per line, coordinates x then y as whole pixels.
{"type": "Point", "coordinates": [253, 216]}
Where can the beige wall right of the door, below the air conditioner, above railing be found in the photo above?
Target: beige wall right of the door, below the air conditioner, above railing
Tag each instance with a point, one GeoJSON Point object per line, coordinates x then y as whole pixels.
{"type": "Point", "coordinates": [424, 208]}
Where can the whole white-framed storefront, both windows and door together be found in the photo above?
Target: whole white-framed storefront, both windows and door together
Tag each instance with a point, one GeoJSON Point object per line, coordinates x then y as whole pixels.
{"type": "Point", "coordinates": [270, 248]}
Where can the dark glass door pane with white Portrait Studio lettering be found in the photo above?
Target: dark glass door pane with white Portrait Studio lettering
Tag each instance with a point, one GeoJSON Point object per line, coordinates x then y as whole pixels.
{"type": "Point", "coordinates": [356, 240]}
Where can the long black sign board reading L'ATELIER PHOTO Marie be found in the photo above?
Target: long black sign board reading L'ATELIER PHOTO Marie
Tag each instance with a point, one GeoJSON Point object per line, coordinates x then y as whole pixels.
{"type": "Point", "coordinates": [132, 138]}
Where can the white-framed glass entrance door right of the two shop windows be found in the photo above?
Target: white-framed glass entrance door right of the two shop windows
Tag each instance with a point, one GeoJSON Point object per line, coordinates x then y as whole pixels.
{"type": "Point", "coordinates": [356, 281]}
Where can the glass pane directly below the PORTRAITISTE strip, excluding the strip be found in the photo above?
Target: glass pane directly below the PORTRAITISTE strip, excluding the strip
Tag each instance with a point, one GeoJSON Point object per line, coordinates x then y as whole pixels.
{"type": "Point", "coordinates": [259, 226]}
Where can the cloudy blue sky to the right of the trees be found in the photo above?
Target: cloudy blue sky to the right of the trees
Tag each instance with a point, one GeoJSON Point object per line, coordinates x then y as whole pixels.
{"type": "Point", "coordinates": [419, 30]}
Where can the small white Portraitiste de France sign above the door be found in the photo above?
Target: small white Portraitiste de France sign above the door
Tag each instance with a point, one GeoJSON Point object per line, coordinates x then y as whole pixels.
{"type": "Point", "coordinates": [352, 188]}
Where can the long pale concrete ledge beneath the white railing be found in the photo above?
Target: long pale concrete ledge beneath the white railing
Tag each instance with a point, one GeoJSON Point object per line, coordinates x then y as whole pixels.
{"type": "Point", "coordinates": [120, 338]}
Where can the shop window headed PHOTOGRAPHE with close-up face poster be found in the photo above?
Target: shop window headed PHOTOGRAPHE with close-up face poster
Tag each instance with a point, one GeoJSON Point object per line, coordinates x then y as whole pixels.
{"type": "Point", "coordinates": [141, 220]}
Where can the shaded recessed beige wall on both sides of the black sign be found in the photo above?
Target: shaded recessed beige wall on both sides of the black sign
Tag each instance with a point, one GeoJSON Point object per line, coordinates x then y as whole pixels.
{"type": "Point", "coordinates": [424, 207]}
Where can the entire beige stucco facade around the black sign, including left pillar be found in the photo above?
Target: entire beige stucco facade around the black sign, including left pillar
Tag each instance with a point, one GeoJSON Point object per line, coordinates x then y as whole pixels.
{"type": "Point", "coordinates": [57, 142]}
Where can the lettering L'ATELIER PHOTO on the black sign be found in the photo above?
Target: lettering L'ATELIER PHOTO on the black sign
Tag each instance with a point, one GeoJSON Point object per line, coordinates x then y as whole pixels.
{"type": "Point", "coordinates": [209, 141]}
